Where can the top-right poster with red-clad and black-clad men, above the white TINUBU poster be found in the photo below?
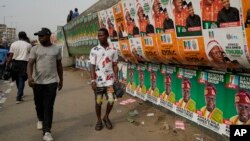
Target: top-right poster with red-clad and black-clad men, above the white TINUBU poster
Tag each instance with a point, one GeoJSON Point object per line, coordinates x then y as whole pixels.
{"type": "Point", "coordinates": [220, 13]}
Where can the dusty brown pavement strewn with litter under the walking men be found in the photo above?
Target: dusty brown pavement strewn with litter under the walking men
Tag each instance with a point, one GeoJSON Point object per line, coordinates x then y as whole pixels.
{"type": "Point", "coordinates": [74, 117]}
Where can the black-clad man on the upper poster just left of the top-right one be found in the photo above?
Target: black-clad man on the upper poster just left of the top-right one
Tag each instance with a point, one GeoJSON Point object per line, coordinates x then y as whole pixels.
{"type": "Point", "coordinates": [192, 20]}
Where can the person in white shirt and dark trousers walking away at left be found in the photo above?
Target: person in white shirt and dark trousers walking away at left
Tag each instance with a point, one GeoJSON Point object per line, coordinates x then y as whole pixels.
{"type": "Point", "coordinates": [18, 58]}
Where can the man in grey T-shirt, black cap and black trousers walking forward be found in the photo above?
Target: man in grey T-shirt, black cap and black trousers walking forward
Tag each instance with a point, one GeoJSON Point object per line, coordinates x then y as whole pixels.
{"type": "Point", "coordinates": [43, 68]}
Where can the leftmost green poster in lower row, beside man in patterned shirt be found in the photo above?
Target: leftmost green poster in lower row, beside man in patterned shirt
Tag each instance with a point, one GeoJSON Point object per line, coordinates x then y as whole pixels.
{"type": "Point", "coordinates": [132, 75]}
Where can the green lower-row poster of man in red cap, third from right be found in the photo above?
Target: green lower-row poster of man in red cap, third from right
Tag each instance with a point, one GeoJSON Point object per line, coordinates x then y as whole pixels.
{"type": "Point", "coordinates": [186, 98]}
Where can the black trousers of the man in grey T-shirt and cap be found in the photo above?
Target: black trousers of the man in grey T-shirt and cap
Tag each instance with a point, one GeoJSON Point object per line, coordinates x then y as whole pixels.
{"type": "Point", "coordinates": [44, 96]}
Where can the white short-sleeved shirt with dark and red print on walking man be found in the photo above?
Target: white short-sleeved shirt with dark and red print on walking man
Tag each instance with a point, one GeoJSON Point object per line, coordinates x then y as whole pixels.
{"type": "Point", "coordinates": [104, 59]}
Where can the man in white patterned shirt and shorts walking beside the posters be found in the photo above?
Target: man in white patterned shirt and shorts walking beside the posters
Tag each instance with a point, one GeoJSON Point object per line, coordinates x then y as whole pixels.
{"type": "Point", "coordinates": [104, 72]}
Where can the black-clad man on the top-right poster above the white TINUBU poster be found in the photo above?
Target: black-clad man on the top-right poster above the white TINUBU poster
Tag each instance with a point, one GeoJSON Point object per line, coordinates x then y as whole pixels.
{"type": "Point", "coordinates": [228, 13]}
